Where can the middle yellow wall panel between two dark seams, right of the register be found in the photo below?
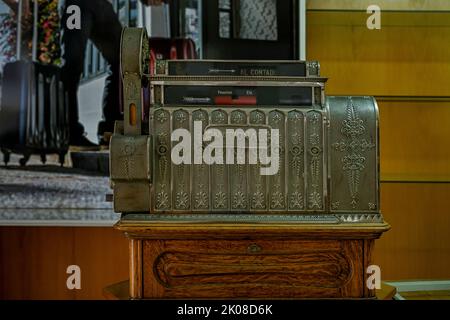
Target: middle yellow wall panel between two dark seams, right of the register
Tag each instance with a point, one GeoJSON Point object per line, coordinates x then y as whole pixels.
{"type": "Point", "coordinates": [415, 140]}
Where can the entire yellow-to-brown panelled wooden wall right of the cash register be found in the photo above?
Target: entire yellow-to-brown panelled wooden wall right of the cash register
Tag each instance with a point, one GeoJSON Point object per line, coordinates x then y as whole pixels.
{"type": "Point", "coordinates": [408, 58]}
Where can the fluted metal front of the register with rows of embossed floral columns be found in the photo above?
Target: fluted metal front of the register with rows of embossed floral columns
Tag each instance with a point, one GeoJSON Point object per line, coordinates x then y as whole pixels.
{"type": "Point", "coordinates": [241, 187]}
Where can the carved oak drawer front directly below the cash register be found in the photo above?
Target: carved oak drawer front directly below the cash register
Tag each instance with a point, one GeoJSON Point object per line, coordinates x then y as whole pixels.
{"type": "Point", "coordinates": [252, 269]}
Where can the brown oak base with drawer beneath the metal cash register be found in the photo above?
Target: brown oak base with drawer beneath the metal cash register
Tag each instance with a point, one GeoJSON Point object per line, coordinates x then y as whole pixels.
{"type": "Point", "coordinates": [173, 260]}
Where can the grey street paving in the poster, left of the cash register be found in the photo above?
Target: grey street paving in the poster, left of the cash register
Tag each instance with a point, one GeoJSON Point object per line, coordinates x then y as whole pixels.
{"type": "Point", "coordinates": [50, 192]}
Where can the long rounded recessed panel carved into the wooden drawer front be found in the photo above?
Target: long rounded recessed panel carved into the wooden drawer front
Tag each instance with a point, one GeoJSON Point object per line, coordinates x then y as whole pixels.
{"type": "Point", "coordinates": [193, 269]}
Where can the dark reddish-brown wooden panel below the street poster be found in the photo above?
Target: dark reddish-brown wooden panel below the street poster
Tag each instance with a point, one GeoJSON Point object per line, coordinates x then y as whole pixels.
{"type": "Point", "coordinates": [34, 261]}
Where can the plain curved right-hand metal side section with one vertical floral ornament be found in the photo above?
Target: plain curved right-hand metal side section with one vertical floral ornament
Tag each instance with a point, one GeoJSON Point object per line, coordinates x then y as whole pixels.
{"type": "Point", "coordinates": [353, 156]}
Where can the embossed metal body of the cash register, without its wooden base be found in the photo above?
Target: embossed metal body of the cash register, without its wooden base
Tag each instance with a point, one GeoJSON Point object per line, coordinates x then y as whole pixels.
{"type": "Point", "coordinates": [328, 146]}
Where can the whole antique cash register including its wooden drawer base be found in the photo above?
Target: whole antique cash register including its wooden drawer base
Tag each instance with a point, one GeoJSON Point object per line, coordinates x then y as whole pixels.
{"type": "Point", "coordinates": [242, 179]}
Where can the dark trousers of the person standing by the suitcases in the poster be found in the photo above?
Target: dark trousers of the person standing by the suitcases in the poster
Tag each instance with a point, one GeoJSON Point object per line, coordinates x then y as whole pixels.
{"type": "Point", "coordinates": [100, 24]}
